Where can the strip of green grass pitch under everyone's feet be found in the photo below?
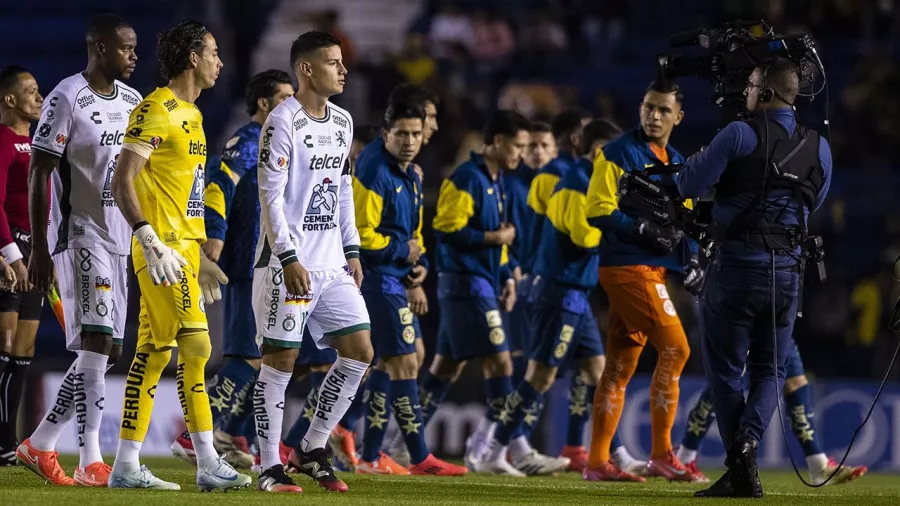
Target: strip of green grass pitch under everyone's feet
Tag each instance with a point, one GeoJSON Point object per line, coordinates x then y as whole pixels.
{"type": "Point", "coordinates": [18, 486]}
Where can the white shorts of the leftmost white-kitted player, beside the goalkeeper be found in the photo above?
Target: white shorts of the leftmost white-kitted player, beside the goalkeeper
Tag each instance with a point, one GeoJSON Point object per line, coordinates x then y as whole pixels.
{"type": "Point", "coordinates": [93, 286]}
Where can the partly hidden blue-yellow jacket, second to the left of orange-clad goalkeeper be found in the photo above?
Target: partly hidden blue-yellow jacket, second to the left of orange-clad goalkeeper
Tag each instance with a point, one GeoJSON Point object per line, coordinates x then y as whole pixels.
{"type": "Point", "coordinates": [538, 196]}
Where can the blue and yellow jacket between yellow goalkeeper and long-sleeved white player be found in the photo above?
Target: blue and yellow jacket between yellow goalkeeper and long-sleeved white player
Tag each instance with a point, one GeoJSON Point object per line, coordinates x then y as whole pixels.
{"type": "Point", "coordinates": [232, 201]}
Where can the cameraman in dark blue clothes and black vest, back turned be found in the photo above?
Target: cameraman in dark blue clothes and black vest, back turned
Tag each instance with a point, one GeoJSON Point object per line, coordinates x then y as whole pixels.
{"type": "Point", "coordinates": [769, 173]}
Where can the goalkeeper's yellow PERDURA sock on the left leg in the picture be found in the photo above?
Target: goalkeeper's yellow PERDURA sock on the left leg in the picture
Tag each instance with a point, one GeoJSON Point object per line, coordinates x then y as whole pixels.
{"type": "Point", "coordinates": [140, 388]}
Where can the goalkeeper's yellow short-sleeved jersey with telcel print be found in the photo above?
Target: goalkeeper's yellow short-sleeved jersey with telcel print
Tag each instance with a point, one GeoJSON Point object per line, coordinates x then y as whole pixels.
{"type": "Point", "coordinates": [170, 187]}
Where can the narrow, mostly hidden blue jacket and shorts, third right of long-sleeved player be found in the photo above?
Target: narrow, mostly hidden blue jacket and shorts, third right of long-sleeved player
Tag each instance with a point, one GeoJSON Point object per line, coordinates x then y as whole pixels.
{"type": "Point", "coordinates": [518, 184]}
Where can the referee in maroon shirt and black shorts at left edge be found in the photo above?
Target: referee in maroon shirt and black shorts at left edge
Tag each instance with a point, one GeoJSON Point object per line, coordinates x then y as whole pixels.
{"type": "Point", "coordinates": [20, 309]}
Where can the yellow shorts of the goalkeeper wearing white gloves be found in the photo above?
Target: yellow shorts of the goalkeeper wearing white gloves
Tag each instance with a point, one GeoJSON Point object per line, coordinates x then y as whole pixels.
{"type": "Point", "coordinates": [167, 310]}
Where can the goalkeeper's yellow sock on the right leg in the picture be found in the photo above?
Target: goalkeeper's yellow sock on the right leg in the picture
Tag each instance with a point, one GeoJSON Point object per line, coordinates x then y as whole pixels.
{"type": "Point", "coordinates": [193, 352]}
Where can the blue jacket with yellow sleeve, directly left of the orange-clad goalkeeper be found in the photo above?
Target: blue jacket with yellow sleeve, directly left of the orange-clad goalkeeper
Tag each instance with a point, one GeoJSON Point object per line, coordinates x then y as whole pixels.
{"type": "Point", "coordinates": [569, 249]}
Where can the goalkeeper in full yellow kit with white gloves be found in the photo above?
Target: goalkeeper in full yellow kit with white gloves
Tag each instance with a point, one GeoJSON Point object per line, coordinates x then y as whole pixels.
{"type": "Point", "coordinates": [158, 186]}
